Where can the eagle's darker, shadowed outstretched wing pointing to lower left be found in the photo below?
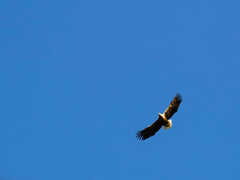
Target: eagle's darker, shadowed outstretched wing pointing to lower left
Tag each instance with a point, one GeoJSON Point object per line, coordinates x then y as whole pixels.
{"type": "Point", "coordinates": [150, 130]}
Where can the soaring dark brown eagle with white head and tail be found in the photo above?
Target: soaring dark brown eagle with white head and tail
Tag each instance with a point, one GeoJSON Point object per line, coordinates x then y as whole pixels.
{"type": "Point", "coordinates": [162, 121]}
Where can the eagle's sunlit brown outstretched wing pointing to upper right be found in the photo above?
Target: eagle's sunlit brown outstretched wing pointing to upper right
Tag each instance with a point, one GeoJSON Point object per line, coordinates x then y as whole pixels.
{"type": "Point", "coordinates": [173, 107]}
